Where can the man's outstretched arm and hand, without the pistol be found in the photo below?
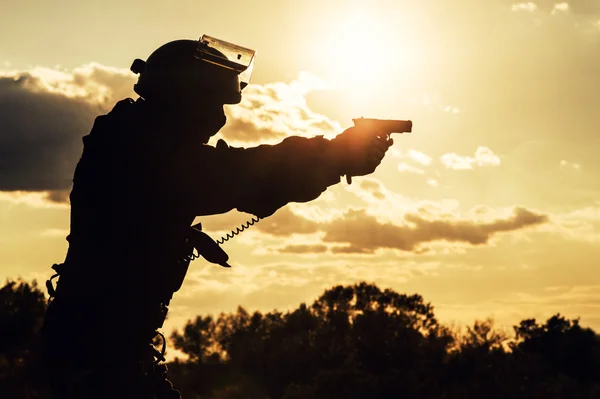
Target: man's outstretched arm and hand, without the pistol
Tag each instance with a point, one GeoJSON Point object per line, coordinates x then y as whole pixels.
{"type": "Point", "coordinates": [262, 179]}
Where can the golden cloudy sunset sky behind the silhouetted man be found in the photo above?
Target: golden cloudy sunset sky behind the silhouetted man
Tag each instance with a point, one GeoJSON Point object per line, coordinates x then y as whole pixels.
{"type": "Point", "coordinates": [490, 208]}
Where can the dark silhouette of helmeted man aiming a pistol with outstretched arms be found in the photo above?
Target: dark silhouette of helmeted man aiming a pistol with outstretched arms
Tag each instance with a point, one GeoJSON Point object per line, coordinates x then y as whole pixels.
{"type": "Point", "coordinates": [145, 174]}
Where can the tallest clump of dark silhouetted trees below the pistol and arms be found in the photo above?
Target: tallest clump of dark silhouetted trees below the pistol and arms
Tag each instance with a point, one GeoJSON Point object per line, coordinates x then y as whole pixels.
{"type": "Point", "coordinates": [367, 338]}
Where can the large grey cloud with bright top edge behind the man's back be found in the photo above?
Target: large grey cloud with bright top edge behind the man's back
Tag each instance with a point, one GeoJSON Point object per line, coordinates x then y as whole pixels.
{"type": "Point", "coordinates": [44, 113]}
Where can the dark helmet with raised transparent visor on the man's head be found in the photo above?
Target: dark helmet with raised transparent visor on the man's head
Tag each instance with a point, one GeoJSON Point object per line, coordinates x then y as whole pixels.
{"type": "Point", "coordinates": [185, 70]}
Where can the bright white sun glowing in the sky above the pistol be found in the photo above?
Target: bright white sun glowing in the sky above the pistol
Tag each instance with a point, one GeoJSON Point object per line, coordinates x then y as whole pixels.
{"type": "Point", "coordinates": [372, 58]}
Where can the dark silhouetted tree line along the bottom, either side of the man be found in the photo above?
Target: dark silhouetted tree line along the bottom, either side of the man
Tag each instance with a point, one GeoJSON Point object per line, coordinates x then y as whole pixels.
{"type": "Point", "coordinates": [355, 341]}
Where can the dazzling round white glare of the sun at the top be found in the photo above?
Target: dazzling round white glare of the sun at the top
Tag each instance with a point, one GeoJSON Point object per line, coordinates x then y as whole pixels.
{"type": "Point", "coordinates": [369, 56]}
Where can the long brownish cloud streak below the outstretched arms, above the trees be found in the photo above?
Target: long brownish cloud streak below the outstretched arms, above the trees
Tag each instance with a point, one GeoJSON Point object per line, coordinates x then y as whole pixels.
{"type": "Point", "coordinates": [360, 233]}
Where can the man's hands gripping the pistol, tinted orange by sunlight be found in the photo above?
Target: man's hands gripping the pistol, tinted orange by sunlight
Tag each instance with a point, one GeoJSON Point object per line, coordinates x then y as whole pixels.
{"type": "Point", "coordinates": [358, 151]}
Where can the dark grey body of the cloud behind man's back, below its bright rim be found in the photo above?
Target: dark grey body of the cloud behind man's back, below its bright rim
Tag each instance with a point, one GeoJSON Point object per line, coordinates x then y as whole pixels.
{"type": "Point", "coordinates": [40, 135]}
